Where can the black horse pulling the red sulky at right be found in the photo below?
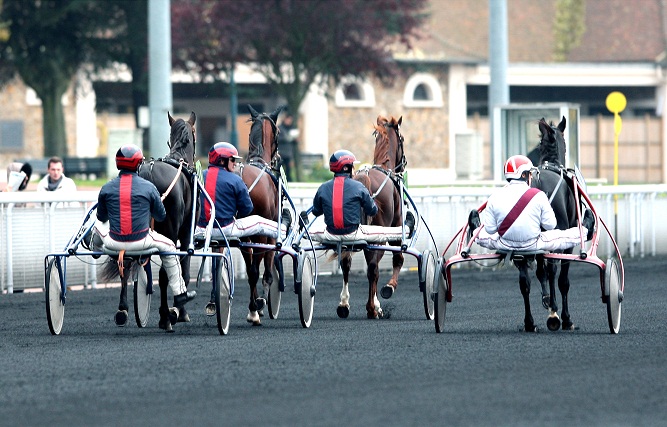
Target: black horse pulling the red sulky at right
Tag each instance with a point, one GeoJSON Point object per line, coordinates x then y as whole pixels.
{"type": "Point", "coordinates": [551, 181]}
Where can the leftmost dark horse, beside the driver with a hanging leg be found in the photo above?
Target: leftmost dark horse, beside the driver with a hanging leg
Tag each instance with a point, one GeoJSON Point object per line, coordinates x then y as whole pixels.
{"type": "Point", "coordinates": [173, 175]}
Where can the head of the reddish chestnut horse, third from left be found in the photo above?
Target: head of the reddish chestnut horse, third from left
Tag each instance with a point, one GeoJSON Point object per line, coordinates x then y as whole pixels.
{"type": "Point", "coordinates": [389, 152]}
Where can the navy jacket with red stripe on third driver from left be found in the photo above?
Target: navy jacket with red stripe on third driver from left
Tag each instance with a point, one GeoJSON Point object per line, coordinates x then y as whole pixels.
{"type": "Point", "coordinates": [341, 200]}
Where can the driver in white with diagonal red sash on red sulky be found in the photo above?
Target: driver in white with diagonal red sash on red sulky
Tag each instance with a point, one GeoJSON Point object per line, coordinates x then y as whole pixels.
{"type": "Point", "coordinates": [516, 214]}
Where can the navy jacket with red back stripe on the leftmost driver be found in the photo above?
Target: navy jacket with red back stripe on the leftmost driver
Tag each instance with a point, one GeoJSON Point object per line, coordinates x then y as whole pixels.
{"type": "Point", "coordinates": [128, 202]}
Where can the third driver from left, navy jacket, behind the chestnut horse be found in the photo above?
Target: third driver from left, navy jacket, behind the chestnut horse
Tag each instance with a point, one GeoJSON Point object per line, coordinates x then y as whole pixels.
{"type": "Point", "coordinates": [341, 200]}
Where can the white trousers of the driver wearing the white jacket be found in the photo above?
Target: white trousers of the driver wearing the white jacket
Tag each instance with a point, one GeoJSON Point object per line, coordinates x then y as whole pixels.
{"type": "Point", "coordinates": [550, 240]}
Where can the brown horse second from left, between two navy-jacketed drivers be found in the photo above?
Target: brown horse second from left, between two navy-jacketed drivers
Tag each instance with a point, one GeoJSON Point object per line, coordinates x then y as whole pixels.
{"type": "Point", "coordinates": [259, 174]}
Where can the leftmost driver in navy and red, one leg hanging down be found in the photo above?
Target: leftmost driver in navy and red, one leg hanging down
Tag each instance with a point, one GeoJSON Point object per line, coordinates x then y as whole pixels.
{"type": "Point", "coordinates": [128, 202]}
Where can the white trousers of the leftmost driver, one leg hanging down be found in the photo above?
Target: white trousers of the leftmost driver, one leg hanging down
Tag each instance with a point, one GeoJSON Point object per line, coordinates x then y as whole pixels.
{"type": "Point", "coordinates": [153, 239]}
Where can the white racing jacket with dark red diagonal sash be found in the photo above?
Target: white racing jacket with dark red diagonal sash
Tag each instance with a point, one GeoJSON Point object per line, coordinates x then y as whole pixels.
{"type": "Point", "coordinates": [537, 215]}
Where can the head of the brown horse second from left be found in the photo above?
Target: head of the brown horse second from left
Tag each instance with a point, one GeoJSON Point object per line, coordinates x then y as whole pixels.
{"type": "Point", "coordinates": [263, 139]}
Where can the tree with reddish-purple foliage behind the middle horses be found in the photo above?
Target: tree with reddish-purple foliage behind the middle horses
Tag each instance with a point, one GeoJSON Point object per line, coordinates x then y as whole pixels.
{"type": "Point", "coordinates": [294, 43]}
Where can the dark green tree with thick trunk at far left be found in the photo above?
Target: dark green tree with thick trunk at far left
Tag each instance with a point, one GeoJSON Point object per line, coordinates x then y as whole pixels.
{"type": "Point", "coordinates": [48, 42]}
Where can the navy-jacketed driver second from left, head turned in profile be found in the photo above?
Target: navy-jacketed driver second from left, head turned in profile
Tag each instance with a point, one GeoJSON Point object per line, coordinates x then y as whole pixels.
{"type": "Point", "coordinates": [231, 199]}
